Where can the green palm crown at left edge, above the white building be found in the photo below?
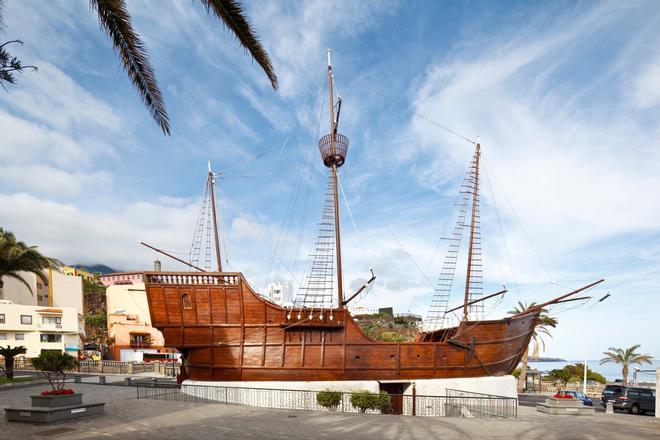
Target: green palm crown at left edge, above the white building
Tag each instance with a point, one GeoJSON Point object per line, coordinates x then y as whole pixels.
{"type": "Point", "coordinates": [16, 256]}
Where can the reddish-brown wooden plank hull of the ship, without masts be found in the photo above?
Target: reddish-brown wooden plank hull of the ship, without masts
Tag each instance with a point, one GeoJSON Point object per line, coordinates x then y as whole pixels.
{"type": "Point", "coordinates": [226, 332]}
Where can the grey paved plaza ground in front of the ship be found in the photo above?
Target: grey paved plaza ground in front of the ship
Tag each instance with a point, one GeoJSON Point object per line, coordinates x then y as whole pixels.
{"type": "Point", "coordinates": [129, 418]}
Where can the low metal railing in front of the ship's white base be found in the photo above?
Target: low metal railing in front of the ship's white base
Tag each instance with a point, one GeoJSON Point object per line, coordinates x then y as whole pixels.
{"type": "Point", "coordinates": [455, 403]}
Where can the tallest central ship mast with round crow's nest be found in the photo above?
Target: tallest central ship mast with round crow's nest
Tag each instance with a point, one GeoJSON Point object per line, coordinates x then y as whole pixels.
{"type": "Point", "coordinates": [333, 147]}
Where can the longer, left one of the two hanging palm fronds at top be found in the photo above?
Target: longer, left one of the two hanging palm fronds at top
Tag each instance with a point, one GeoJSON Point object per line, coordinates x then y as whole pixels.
{"type": "Point", "coordinates": [116, 22]}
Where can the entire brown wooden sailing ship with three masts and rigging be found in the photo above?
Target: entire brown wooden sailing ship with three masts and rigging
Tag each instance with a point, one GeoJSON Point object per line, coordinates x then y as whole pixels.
{"type": "Point", "coordinates": [225, 331]}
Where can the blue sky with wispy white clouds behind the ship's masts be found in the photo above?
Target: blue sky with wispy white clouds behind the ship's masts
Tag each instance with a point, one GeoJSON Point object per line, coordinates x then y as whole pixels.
{"type": "Point", "coordinates": [565, 97]}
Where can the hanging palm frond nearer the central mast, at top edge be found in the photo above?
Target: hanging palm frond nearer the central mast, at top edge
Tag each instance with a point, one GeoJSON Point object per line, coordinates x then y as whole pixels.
{"type": "Point", "coordinates": [230, 12]}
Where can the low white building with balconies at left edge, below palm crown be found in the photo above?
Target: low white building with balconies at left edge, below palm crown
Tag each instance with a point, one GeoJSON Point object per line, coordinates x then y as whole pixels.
{"type": "Point", "coordinates": [41, 328]}
